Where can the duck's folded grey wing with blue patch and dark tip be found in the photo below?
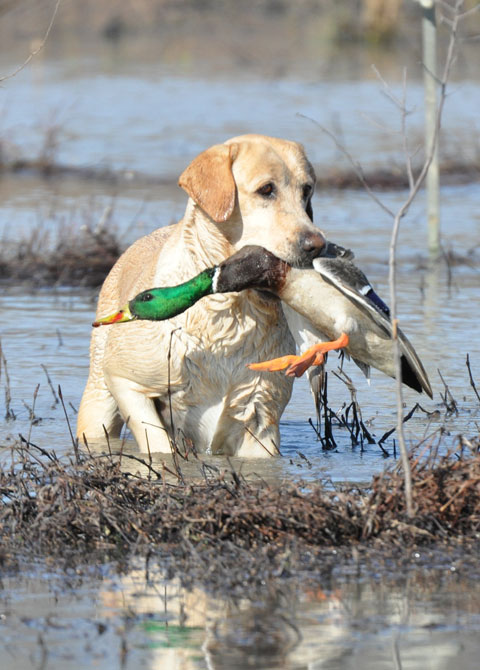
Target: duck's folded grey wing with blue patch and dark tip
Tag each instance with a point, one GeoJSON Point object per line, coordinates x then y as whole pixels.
{"type": "Point", "coordinates": [352, 282]}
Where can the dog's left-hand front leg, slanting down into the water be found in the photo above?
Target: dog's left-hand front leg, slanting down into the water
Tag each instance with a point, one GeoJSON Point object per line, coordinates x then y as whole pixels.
{"type": "Point", "coordinates": [139, 412]}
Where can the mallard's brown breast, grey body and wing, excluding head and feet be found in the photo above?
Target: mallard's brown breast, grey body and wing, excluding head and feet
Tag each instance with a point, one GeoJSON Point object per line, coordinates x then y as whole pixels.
{"type": "Point", "coordinates": [334, 297]}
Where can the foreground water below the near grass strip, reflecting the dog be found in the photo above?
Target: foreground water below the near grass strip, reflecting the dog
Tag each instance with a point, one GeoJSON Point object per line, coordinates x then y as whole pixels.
{"type": "Point", "coordinates": [428, 618]}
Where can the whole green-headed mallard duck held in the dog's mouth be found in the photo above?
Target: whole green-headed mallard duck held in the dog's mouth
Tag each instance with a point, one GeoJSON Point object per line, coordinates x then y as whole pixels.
{"type": "Point", "coordinates": [333, 302]}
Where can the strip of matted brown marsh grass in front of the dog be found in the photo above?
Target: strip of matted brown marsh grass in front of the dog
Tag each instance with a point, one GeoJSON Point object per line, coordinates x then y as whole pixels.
{"type": "Point", "coordinates": [89, 508]}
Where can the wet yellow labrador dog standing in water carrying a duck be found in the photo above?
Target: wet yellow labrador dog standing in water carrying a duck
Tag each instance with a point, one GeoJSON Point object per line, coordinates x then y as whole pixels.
{"type": "Point", "coordinates": [185, 379]}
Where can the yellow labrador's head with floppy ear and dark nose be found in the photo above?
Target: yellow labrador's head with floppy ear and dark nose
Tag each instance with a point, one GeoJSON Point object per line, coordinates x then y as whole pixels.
{"type": "Point", "coordinates": [258, 190]}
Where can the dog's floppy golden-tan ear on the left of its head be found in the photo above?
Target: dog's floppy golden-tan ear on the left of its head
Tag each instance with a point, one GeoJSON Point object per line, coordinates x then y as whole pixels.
{"type": "Point", "coordinates": [209, 181]}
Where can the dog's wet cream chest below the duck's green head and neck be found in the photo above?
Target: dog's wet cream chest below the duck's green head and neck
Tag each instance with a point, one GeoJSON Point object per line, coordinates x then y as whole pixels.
{"type": "Point", "coordinates": [202, 352]}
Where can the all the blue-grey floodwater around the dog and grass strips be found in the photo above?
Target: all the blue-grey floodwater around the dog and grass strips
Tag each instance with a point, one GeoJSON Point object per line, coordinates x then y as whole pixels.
{"type": "Point", "coordinates": [141, 115]}
